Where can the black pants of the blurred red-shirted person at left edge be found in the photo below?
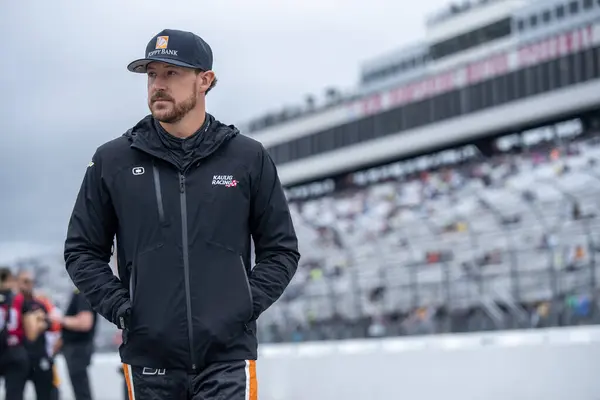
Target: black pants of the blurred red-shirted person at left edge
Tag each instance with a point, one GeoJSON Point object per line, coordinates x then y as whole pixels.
{"type": "Point", "coordinates": [14, 367]}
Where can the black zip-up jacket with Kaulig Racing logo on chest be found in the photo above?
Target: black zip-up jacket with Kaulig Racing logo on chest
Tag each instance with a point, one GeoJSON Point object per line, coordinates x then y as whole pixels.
{"type": "Point", "coordinates": [183, 234]}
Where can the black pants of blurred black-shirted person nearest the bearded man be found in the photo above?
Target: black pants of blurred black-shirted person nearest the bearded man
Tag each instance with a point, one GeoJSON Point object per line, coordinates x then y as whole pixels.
{"type": "Point", "coordinates": [78, 357]}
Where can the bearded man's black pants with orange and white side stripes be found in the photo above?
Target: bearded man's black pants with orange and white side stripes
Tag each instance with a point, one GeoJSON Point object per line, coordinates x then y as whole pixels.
{"type": "Point", "coordinates": [234, 380]}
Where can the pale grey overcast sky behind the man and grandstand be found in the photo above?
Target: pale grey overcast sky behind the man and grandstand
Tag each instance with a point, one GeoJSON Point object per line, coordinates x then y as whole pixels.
{"type": "Point", "coordinates": [65, 89]}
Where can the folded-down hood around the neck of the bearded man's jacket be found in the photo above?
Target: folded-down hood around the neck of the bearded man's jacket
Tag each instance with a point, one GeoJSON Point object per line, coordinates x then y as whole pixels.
{"type": "Point", "coordinates": [146, 137]}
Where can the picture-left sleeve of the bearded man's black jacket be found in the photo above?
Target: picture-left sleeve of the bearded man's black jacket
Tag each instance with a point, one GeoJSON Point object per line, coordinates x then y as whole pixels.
{"type": "Point", "coordinates": [88, 245]}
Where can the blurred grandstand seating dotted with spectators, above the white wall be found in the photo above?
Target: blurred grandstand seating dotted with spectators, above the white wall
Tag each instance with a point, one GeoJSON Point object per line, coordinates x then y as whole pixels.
{"type": "Point", "coordinates": [506, 242]}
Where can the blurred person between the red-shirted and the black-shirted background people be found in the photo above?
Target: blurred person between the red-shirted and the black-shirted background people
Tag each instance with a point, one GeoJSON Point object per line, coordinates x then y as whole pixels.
{"type": "Point", "coordinates": [42, 350]}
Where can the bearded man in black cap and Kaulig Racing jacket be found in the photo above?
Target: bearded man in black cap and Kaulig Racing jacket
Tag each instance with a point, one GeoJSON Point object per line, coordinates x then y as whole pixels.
{"type": "Point", "coordinates": [184, 195]}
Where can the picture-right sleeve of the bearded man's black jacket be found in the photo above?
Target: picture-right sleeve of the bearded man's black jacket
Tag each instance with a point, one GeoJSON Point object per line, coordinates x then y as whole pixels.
{"type": "Point", "coordinates": [275, 242]}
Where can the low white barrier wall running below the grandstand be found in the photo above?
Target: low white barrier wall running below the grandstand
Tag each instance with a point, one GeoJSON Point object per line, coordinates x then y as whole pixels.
{"type": "Point", "coordinates": [550, 364]}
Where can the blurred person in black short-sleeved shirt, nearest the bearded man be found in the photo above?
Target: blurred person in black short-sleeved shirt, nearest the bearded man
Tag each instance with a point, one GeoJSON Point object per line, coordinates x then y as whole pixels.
{"type": "Point", "coordinates": [78, 328]}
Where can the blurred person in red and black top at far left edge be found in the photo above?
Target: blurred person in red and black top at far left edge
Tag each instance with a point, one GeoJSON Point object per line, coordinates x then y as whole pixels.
{"type": "Point", "coordinates": [16, 327]}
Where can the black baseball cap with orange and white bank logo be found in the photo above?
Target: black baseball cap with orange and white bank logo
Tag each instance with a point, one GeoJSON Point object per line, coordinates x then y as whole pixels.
{"type": "Point", "coordinates": [175, 47]}
